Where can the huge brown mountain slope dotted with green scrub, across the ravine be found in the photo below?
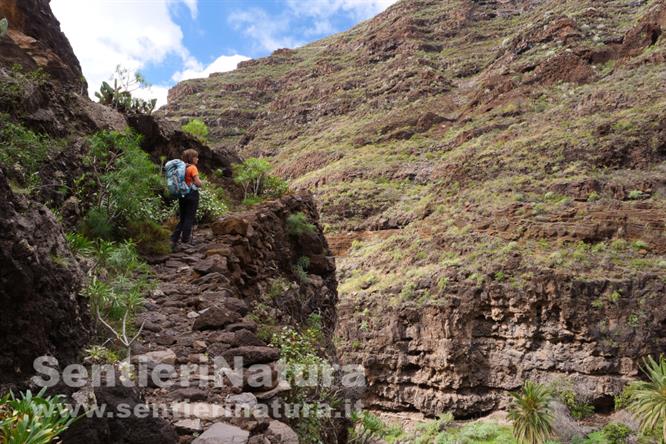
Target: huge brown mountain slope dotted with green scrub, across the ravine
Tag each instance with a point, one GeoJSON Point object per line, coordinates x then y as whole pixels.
{"type": "Point", "coordinates": [491, 174]}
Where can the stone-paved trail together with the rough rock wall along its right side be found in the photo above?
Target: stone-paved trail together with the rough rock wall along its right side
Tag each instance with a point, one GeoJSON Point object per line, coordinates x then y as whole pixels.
{"type": "Point", "coordinates": [201, 311]}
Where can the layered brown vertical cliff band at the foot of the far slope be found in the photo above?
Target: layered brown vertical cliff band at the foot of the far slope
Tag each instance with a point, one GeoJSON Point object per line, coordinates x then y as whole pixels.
{"type": "Point", "coordinates": [465, 353]}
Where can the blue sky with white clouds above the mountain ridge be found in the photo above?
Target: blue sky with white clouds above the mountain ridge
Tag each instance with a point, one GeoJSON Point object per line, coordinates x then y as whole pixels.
{"type": "Point", "coordinates": [173, 40]}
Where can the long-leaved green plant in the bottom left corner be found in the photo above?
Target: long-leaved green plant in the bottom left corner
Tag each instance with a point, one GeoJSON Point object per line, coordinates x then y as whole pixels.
{"type": "Point", "coordinates": [33, 419]}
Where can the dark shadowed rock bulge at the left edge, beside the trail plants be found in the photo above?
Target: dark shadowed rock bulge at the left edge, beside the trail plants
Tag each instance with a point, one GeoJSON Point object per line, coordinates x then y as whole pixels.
{"type": "Point", "coordinates": [42, 313]}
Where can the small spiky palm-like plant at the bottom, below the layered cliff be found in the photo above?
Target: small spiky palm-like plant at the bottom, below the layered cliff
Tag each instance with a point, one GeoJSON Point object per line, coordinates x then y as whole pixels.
{"type": "Point", "coordinates": [531, 415]}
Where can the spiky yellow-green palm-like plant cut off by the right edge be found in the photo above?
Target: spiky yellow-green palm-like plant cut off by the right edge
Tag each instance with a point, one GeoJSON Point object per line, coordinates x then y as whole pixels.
{"type": "Point", "coordinates": [648, 398]}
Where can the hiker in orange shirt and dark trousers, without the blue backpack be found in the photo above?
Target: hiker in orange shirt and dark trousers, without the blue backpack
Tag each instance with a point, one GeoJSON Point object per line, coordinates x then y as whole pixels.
{"type": "Point", "coordinates": [188, 203]}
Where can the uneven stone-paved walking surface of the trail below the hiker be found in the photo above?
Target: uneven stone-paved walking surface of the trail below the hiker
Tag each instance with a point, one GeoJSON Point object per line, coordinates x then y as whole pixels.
{"type": "Point", "coordinates": [192, 317]}
